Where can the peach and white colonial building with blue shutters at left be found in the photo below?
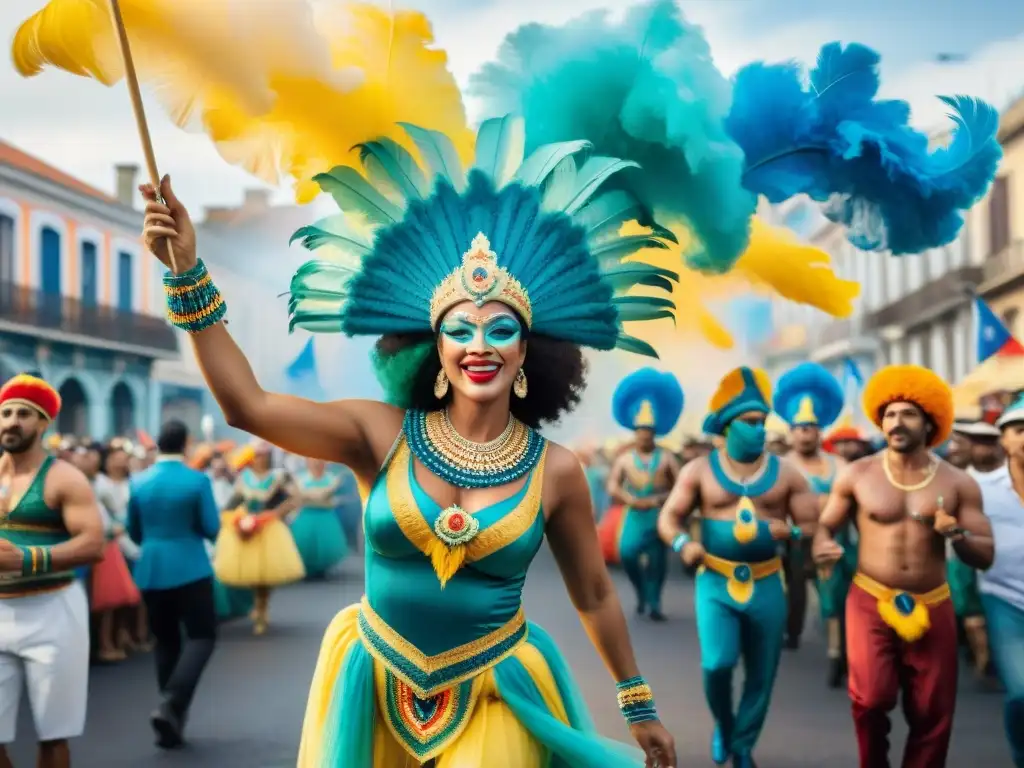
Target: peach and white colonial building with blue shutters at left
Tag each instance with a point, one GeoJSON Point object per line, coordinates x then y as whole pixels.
{"type": "Point", "coordinates": [78, 304]}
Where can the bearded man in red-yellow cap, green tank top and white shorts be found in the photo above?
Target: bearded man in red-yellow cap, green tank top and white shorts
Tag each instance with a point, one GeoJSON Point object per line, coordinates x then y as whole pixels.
{"type": "Point", "coordinates": [50, 526]}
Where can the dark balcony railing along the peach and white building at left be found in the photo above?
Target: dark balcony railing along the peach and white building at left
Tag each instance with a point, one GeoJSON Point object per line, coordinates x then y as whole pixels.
{"type": "Point", "coordinates": [27, 307]}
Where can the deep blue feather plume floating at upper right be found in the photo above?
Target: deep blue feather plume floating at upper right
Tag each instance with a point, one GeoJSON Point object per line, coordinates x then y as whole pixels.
{"type": "Point", "coordinates": [836, 143]}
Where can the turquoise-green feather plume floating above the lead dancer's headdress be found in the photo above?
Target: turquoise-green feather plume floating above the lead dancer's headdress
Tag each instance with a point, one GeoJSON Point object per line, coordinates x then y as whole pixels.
{"type": "Point", "coordinates": [645, 91]}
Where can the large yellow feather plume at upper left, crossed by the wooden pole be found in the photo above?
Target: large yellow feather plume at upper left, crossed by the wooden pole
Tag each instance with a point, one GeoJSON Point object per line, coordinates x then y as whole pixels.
{"type": "Point", "coordinates": [281, 88]}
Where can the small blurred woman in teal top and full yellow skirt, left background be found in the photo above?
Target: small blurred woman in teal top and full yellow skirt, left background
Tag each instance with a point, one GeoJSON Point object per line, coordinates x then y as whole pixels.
{"type": "Point", "coordinates": [255, 549]}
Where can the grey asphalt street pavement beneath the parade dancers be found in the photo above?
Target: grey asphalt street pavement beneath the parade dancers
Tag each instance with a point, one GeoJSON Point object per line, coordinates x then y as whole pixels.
{"type": "Point", "coordinates": [249, 710]}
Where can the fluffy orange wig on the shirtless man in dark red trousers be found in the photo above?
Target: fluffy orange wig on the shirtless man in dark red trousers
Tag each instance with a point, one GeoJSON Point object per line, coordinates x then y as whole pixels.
{"type": "Point", "coordinates": [912, 385]}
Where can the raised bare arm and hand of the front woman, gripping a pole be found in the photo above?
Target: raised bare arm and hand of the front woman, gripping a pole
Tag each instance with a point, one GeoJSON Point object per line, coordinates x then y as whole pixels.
{"type": "Point", "coordinates": [334, 432]}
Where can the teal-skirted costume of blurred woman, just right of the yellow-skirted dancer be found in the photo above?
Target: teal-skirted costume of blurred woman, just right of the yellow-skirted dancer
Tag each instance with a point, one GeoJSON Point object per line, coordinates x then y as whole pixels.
{"type": "Point", "coordinates": [317, 529]}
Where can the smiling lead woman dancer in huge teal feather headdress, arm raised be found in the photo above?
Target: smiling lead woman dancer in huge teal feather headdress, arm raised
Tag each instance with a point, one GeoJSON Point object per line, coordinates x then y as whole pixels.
{"type": "Point", "coordinates": [483, 289]}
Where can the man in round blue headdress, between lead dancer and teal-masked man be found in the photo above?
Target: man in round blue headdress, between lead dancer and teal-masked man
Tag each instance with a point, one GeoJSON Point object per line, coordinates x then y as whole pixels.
{"type": "Point", "coordinates": [650, 403]}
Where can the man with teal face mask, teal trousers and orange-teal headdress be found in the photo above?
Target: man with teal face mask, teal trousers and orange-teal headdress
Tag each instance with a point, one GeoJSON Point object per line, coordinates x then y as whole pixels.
{"type": "Point", "coordinates": [747, 498]}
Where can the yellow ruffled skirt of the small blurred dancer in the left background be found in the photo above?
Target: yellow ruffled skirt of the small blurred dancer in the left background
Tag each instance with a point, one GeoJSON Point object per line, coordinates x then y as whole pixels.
{"type": "Point", "coordinates": [269, 559]}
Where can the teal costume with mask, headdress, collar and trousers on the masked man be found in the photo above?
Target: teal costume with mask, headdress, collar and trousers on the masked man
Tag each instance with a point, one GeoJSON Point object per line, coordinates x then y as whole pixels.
{"type": "Point", "coordinates": [741, 599]}
